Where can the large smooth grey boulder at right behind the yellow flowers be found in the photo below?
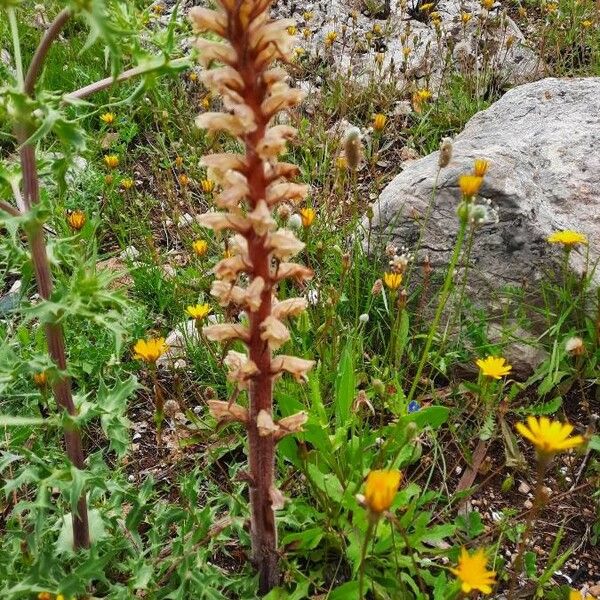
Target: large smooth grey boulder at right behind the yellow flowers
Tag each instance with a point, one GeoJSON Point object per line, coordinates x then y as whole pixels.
{"type": "Point", "coordinates": [541, 140]}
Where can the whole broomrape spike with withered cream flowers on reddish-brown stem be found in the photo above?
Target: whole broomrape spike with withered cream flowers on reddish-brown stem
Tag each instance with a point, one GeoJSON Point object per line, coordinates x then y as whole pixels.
{"type": "Point", "coordinates": [253, 184]}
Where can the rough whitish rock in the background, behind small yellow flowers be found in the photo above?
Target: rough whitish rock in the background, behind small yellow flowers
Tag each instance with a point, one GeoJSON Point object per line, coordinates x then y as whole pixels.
{"type": "Point", "coordinates": [489, 42]}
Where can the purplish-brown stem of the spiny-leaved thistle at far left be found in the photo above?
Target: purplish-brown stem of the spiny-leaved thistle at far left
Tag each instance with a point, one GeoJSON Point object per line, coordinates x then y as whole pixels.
{"type": "Point", "coordinates": [61, 386]}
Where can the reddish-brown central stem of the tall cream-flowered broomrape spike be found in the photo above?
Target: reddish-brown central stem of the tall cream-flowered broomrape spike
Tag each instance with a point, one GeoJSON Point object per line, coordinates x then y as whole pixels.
{"type": "Point", "coordinates": [261, 449]}
